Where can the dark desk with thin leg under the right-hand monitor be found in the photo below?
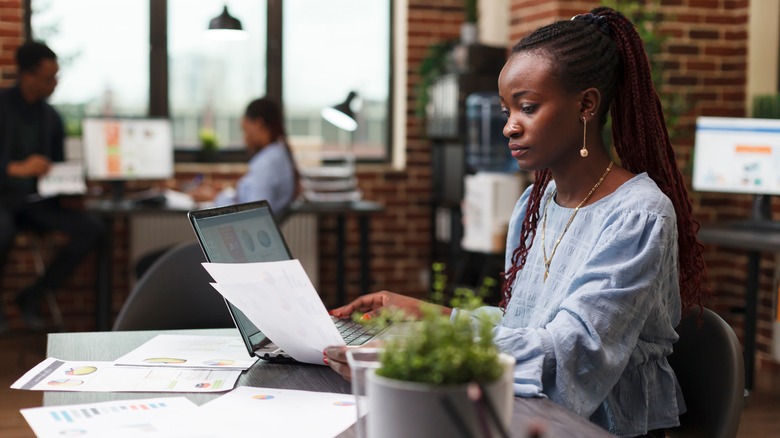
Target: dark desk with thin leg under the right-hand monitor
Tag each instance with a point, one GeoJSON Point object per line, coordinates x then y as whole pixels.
{"type": "Point", "coordinates": [754, 242]}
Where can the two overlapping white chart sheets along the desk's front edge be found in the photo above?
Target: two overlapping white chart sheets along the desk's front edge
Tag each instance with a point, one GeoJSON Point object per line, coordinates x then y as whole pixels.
{"type": "Point", "coordinates": [243, 412]}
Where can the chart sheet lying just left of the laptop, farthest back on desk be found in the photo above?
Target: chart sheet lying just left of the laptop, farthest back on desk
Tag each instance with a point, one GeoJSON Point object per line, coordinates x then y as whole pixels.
{"type": "Point", "coordinates": [185, 351]}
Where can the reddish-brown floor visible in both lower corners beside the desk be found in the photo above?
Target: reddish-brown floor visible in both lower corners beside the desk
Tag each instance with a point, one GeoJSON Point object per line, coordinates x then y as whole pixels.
{"type": "Point", "coordinates": [21, 351]}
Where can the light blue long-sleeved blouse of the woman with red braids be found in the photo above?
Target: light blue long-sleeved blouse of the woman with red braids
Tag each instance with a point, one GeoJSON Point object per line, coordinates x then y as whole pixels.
{"type": "Point", "coordinates": [594, 337]}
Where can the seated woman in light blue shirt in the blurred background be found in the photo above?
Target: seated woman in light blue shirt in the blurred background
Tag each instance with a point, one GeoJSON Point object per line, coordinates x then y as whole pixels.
{"type": "Point", "coordinates": [272, 174]}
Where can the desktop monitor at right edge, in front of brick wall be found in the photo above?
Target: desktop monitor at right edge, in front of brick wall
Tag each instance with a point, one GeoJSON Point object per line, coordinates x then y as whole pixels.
{"type": "Point", "coordinates": [738, 155]}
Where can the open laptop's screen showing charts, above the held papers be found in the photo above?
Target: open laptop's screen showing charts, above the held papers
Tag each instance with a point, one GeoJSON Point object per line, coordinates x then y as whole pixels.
{"type": "Point", "coordinates": [230, 239]}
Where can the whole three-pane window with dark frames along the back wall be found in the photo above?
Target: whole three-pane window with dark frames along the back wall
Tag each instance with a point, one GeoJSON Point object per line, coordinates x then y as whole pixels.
{"type": "Point", "coordinates": [328, 49]}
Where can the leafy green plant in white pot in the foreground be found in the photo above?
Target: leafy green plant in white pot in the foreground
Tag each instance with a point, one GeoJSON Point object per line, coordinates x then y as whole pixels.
{"type": "Point", "coordinates": [445, 377]}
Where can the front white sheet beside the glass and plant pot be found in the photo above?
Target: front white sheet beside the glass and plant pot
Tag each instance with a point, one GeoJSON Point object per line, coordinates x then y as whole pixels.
{"type": "Point", "coordinates": [251, 412]}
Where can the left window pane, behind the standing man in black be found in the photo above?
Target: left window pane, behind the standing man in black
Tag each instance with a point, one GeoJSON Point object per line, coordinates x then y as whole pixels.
{"type": "Point", "coordinates": [104, 70]}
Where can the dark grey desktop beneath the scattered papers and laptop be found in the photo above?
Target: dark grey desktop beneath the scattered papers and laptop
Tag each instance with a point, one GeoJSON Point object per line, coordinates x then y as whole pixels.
{"type": "Point", "coordinates": [108, 346]}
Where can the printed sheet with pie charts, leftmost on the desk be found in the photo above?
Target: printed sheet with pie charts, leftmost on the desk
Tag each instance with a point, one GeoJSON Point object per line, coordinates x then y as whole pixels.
{"type": "Point", "coordinates": [57, 375]}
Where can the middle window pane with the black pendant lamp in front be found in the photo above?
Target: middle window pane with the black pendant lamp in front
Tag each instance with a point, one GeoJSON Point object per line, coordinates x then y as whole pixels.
{"type": "Point", "coordinates": [211, 82]}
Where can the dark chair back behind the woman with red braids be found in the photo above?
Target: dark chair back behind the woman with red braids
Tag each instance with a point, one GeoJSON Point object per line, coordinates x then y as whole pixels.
{"type": "Point", "coordinates": [709, 366]}
